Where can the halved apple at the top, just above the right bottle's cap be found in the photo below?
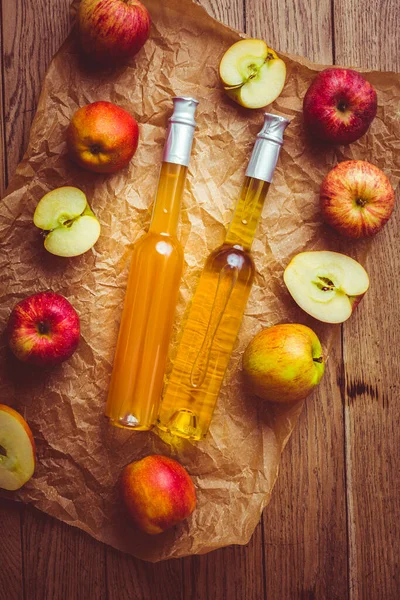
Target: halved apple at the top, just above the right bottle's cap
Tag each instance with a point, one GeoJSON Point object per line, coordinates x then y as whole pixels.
{"type": "Point", "coordinates": [252, 73]}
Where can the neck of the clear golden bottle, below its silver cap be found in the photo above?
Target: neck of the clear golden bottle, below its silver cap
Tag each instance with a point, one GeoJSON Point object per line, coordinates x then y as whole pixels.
{"type": "Point", "coordinates": [243, 226]}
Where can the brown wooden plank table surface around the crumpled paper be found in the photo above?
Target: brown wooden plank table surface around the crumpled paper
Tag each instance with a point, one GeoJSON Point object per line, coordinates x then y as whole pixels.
{"type": "Point", "coordinates": [332, 529]}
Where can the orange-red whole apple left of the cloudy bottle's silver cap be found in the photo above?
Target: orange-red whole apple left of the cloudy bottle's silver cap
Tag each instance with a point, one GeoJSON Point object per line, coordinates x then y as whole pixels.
{"type": "Point", "coordinates": [102, 137]}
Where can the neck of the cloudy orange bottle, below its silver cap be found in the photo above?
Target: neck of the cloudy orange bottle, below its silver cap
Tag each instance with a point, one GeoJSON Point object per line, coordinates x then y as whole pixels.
{"type": "Point", "coordinates": [168, 201]}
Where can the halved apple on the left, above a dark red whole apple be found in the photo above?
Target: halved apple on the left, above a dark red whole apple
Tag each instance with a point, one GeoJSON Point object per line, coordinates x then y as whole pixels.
{"type": "Point", "coordinates": [71, 226]}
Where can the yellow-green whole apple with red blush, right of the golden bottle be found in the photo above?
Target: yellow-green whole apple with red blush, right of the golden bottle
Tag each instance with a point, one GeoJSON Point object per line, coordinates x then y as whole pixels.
{"type": "Point", "coordinates": [283, 363]}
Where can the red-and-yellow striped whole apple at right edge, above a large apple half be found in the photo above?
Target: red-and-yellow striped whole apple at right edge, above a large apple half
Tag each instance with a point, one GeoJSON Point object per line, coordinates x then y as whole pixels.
{"type": "Point", "coordinates": [356, 198]}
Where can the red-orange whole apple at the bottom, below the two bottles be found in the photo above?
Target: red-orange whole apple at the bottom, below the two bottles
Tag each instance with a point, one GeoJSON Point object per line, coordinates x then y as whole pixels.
{"type": "Point", "coordinates": [157, 492]}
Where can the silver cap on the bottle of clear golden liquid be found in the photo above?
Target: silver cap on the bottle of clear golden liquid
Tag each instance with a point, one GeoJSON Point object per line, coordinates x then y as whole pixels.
{"type": "Point", "coordinates": [267, 147]}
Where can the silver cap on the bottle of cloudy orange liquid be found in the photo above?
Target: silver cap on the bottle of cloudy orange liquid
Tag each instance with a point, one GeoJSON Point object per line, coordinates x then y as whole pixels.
{"type": "Point", "coordinates": [181, 127]}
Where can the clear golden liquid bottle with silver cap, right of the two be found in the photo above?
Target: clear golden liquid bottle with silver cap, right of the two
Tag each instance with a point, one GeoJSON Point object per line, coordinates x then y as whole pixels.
{"type": "Point", "coordinates": [219, 301]}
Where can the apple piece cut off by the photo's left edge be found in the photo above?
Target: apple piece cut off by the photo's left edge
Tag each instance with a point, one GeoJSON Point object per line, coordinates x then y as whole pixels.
{"type": "Point", "coordinates": [17, 450]}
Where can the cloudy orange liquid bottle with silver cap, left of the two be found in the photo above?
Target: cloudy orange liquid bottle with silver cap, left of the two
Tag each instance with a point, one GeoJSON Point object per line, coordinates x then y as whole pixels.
{"type": "Point", "coordinates": [153, 285]}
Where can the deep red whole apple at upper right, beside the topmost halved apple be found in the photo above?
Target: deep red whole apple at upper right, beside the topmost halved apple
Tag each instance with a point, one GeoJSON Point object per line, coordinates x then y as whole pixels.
{"type": "Point", "coordinates": [339, 106]}
